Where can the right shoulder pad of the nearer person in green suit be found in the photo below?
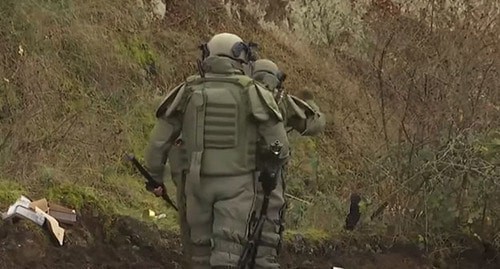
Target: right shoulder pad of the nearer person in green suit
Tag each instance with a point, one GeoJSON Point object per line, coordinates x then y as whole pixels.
{"type": "Point", "coordinates": [262, 102]}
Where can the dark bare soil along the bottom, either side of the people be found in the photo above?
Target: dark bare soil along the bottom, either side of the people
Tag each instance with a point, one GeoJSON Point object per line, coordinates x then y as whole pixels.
{"type": "Point", "coordinates": [122, 242]}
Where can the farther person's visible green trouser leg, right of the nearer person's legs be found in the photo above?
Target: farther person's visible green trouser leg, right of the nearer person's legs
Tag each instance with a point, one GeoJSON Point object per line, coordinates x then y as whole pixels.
{"type": "Point", "coordinates": [270, 244]}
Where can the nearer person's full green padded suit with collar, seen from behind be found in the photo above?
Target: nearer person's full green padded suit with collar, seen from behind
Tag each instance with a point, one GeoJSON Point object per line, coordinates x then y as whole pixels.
{"type": "Point", "coordinates": [223, 117]}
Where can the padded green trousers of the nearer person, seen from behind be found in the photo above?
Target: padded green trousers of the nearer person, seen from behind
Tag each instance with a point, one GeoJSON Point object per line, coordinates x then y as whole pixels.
{"type": "Point", "coordinates": [218, 215]}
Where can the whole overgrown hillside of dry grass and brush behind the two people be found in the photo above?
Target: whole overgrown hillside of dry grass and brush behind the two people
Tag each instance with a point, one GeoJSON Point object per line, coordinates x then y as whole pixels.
{"type": "Point", "coordinates": [411, 96]}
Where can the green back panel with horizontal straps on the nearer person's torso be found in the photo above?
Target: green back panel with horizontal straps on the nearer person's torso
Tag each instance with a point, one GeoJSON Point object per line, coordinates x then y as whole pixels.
{"type": "Point", "coordinates": [218, 122]}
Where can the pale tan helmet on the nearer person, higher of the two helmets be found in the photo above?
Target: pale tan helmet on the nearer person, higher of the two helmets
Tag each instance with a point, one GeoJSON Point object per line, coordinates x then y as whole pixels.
{"type": "Point", "coordinates": [229, 45]}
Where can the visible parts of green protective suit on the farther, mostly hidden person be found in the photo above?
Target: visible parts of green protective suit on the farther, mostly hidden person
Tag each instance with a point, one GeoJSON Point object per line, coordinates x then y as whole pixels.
{"type": "Point", "coordinates": [305, 118]}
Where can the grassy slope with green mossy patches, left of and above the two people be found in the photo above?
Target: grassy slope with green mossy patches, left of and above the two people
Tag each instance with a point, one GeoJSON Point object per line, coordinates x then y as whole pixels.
{"type": "Point", "coordinates": [80, 83]}
